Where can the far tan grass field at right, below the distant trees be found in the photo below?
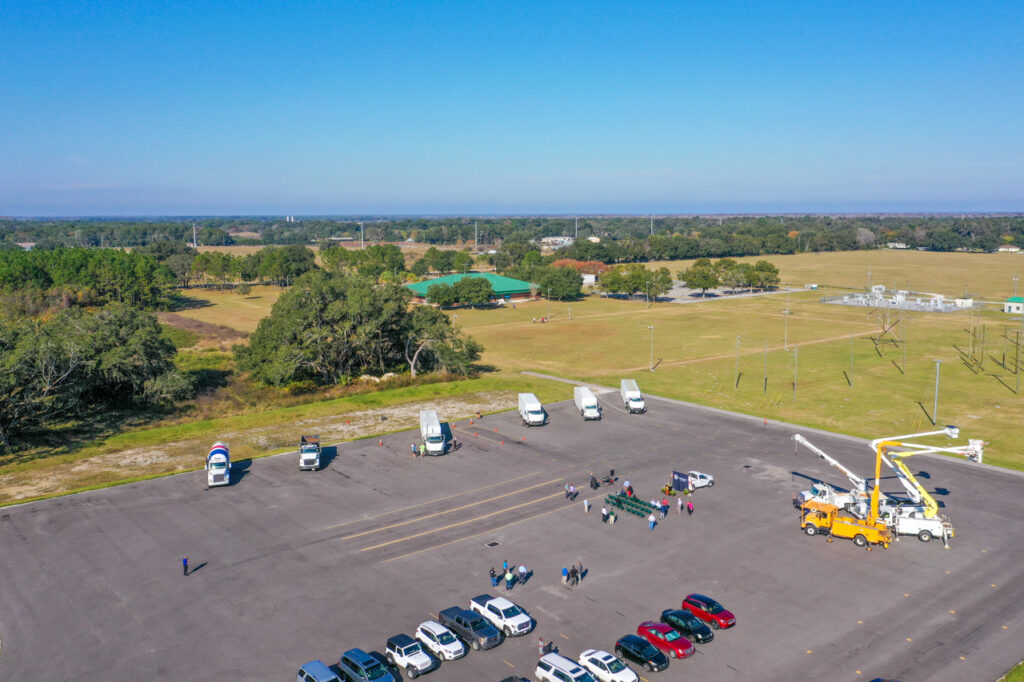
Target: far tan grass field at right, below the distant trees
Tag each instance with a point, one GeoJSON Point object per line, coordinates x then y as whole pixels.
{"type": "Point", "coordinates": [986, 276]}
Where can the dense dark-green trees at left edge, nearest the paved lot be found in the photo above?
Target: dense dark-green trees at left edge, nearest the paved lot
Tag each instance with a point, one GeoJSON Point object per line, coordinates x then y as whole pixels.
{"type": "Point", "coordinates": [75, 363]}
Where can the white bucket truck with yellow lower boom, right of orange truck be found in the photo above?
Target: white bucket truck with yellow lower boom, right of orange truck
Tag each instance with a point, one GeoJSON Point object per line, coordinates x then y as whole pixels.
{"type": "Point", "coordinates": [922, 519]}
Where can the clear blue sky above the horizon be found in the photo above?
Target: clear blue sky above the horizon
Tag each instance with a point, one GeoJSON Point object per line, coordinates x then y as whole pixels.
{"type": "Point", "coordinates": [440, 108]}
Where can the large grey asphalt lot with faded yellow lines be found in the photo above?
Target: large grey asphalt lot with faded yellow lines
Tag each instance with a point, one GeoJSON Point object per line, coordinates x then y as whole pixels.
{"type": "Point", "coordinates": [290, 566]}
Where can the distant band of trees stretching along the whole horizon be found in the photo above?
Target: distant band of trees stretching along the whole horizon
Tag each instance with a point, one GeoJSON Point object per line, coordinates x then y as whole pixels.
{"type": "Point", "coordinates": [665, 238]}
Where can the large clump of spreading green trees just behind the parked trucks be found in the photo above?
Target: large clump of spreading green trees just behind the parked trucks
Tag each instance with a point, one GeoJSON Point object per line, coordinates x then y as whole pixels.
{"type": "Point", "coordinates": [331, 328]}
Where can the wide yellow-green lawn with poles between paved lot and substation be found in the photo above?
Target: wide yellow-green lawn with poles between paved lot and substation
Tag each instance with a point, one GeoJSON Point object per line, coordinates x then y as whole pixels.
{"type": "Point", "coordinates": [699, 358]}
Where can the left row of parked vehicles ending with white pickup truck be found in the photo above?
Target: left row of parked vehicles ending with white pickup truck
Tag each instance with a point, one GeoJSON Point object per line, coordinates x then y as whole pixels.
{"type": "Point", "coordinates": [484, 626]}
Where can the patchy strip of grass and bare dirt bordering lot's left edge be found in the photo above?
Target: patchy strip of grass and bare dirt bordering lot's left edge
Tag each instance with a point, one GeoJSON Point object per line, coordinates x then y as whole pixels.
{"type": "Point", "coordinates": [188, 455]}
